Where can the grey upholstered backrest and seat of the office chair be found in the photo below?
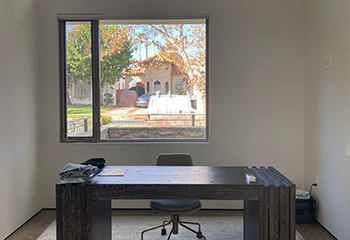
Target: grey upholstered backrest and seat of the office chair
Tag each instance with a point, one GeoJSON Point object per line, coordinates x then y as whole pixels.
{"type": "Point", "coordinates": [175, 207]}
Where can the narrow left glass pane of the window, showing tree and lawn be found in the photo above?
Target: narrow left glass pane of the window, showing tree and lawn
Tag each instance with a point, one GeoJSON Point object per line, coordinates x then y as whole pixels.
{"type": "Point", "coordinates": [79, 76]}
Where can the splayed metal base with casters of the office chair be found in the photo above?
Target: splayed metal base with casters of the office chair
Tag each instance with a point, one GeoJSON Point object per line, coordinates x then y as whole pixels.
{"type": "Point", "coordinates": [175, 220]}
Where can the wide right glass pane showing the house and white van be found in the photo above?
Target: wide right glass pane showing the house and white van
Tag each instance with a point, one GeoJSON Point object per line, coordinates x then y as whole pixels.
{"type": "Point", "coordinates": [164, 94]}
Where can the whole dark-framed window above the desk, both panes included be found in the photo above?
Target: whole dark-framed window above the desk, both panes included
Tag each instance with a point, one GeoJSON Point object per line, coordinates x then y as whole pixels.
{"type": "Point", "coordinates": [97, 55]}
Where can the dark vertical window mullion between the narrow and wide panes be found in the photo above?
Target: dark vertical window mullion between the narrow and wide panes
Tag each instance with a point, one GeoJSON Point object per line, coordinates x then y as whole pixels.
{"type": "Point", "coordinates": [95, 78]}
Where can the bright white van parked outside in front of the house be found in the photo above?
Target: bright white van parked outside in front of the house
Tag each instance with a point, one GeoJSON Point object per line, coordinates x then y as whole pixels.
{"type": "Point", "coordinates": [172, 104]}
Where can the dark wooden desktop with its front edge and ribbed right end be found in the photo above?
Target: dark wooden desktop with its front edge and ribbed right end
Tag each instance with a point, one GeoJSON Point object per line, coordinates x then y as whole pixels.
{"type": "Point", "coordinates": [184, 182]}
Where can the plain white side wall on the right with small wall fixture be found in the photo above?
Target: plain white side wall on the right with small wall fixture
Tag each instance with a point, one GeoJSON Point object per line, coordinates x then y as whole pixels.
{"type": "Point", "coordinates": [327, 113]}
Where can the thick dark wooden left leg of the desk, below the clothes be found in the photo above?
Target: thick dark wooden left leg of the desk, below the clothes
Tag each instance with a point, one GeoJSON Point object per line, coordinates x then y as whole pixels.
{"type": "Point", "coordinates": [80, 217]}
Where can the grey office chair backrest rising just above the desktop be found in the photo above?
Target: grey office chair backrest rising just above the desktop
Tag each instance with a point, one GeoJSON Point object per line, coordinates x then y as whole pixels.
{"type": "Point", "coordinates": [174, 159]}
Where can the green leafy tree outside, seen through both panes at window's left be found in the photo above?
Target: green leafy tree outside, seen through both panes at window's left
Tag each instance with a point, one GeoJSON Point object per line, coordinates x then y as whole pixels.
{"type": "Point", "coordinates": [115, 54]}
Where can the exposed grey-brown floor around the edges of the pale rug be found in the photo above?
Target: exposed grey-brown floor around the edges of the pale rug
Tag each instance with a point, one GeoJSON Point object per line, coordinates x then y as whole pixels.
{"type": "Point", "coordinates": [35, 227]}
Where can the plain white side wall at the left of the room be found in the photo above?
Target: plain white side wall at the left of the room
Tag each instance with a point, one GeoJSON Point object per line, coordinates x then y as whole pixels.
{"type": "Point", "coordinates": [19, 171]}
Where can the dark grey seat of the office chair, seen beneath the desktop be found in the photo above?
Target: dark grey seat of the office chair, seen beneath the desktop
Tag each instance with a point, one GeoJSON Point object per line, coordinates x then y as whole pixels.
{"type": "Point", "coordinates": [175, 207]}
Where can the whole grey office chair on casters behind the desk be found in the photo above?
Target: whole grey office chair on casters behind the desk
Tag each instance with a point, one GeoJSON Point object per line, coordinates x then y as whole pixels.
{"type": "Point", "coordinates": [175, 208]}
